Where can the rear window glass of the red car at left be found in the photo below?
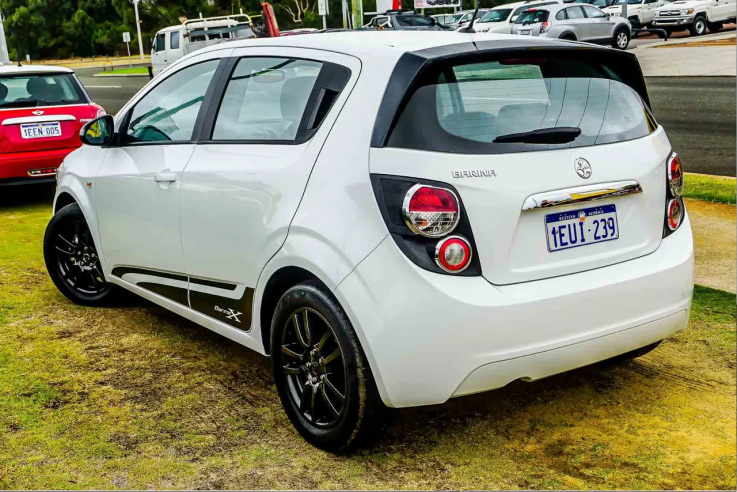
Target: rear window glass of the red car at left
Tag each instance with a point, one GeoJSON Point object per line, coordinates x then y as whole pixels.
{"type": "Point", "coordinates": [39, 90]}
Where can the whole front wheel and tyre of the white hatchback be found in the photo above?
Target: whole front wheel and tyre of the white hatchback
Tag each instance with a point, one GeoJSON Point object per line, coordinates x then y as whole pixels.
{"type": "Point", "coordinates": [72, 260]}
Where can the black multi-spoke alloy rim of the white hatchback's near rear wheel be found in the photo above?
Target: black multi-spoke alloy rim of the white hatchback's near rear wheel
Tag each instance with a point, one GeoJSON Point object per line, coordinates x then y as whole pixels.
{"type": "Point", "coordinates": [314, 368]}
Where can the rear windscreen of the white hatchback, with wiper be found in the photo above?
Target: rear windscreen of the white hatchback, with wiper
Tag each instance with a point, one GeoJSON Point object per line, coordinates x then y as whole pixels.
{"type": "Point", "coordinates": [464, 108]}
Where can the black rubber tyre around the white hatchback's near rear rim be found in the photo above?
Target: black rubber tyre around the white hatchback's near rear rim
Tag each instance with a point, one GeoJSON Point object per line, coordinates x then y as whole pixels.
{"type": "Point", "coordinates": [341, 435]}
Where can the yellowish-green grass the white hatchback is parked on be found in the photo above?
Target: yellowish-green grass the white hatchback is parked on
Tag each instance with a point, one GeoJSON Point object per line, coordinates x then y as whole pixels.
{"type": "Point", "coordinates": [136, 397]}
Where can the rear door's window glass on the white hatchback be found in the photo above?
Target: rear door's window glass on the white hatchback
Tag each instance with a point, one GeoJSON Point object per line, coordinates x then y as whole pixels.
{"type": "Point", "coordinates": [266, 99]}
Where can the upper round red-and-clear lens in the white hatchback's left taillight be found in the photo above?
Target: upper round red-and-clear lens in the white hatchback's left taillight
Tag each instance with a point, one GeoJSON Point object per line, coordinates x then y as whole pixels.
{"type": "Point", "coordinates": [430, 211]}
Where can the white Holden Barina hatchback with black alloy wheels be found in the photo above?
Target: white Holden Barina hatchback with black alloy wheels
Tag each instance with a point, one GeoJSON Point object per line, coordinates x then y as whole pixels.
{"type": "Point", "coordinates": [396, 218]}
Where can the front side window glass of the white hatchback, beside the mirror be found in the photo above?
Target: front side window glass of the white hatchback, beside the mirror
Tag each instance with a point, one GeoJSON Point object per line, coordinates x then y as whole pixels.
{"type": "Point", "coordinates": [169, 111]}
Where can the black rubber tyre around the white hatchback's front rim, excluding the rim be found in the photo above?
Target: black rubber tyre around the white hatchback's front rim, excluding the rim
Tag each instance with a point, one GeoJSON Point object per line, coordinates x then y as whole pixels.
{"type": "Point", "coordinates": [69, 212]}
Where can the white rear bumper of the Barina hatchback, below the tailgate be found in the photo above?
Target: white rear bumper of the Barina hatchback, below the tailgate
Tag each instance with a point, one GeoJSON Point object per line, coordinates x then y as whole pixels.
{"type": "Point", "coordinates": [429, 337]}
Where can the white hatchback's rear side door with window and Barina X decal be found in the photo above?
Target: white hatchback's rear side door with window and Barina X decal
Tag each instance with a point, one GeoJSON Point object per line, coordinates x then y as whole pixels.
{"type": "Point", "coordinates": [245, 180]}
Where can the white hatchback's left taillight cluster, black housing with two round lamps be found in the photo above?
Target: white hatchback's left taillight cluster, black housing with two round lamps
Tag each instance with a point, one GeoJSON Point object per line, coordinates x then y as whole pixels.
{"type": "Point", "coordinates": [420, 215]}
